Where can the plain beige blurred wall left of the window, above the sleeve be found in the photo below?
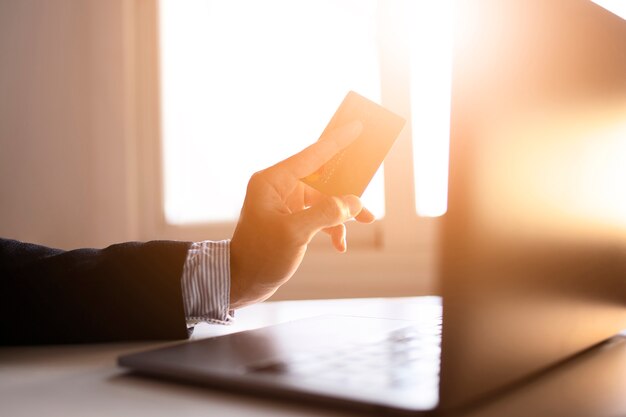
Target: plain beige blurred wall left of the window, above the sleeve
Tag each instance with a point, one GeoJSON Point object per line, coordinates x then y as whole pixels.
{"type": "Point", "coordinates": [66, 173]}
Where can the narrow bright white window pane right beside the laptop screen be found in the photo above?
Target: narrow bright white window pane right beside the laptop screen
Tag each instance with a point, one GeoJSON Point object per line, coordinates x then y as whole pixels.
{"type": "Point", "coordinates": [431, 78]}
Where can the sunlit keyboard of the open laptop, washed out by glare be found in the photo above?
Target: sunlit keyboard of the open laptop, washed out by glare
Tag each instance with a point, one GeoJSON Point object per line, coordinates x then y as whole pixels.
{"type": "Point", "coordinates": [406, 358]}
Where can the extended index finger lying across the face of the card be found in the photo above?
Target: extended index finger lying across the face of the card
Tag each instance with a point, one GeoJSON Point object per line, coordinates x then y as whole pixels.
{"type": "Point", "coordinates": [314, 156]}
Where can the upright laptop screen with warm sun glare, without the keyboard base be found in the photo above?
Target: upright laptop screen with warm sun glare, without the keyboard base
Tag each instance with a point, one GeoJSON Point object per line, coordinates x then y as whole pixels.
{"type": "Point", "coordinates": [534, 244]}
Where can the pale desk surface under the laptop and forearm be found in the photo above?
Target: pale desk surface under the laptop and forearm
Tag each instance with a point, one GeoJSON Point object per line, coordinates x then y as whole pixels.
{"type": "Point", "coordinates": [85, 380]}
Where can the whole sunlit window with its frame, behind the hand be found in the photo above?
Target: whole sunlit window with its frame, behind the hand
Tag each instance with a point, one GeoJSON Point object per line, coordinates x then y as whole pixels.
{"type": "Point", "coordinates": [244, 84]}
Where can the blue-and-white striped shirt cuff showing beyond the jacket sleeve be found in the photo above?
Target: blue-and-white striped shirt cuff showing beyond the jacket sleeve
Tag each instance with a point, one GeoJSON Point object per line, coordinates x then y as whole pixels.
{"type": "Point", "coordinates": [206, 283]}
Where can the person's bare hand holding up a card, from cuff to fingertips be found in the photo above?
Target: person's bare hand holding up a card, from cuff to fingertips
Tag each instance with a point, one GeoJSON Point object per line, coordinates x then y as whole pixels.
{"type": "Point", "coordinates": [280, 216]}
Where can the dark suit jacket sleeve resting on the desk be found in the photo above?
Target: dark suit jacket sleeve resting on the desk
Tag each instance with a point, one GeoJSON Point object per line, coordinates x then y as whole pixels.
{"type": "Point", "coordinates": [129, 291]}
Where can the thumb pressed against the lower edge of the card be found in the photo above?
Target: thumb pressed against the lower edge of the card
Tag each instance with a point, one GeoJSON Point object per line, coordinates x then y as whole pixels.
{"type": "Point", "coordinates": [327, 212]}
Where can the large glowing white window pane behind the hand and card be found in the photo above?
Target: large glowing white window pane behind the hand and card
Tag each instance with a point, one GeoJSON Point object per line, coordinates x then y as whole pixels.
{"type": "Point", "coordinates": [245, 84]}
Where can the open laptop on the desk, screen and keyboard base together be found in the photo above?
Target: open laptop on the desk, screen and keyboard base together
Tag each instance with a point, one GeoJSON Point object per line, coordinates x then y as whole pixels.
{"type": "Point", "coordinates": [532, 257]}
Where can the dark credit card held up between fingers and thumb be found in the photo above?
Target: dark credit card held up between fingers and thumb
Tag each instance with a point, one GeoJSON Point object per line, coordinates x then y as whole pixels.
{"type": "Point", "coordinates": [352, 169]}
